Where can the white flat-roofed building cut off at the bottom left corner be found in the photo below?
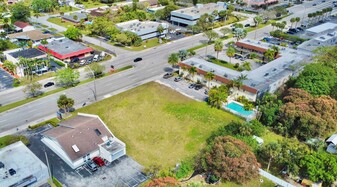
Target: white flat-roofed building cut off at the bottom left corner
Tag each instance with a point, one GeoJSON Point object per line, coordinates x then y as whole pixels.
{"type": "Point", "coordinates": [20, 167]}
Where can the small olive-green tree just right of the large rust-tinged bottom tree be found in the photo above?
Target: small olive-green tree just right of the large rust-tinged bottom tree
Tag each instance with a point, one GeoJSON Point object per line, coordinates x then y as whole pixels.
{"type": "Point", "coordinates": [270, 151]}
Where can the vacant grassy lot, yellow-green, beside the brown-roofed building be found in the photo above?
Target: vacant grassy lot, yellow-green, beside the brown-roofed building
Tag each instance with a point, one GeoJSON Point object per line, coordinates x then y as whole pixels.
{"type": "Point", "coordinates": [159, 125]}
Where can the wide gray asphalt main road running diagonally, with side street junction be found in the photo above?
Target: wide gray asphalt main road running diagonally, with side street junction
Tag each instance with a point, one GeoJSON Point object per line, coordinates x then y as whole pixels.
{"type": "Point", "coordinates": [154, 65]}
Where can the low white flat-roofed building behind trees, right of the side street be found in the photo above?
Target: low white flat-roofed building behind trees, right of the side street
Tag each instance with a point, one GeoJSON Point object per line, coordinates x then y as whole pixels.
{"type": "Point", "coordinates": [144, 29]}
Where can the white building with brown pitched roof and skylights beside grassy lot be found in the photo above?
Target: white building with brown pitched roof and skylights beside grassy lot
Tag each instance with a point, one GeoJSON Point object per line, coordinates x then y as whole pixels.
{"type": "Point", "coordinates": [81, 138]}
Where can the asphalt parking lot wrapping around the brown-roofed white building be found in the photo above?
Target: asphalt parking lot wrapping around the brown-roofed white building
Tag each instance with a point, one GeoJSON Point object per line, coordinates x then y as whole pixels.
{"type": "Point", "coordinates": [122, 172]}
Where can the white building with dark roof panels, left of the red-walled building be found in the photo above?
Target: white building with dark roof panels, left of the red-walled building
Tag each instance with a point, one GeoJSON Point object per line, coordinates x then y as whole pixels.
{"type": "Point", "coordinates": [31, 53]}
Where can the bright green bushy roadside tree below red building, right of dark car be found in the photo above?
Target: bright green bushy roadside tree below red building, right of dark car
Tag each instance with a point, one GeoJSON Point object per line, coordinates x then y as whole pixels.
{"type": "Point", "coordinates": [67, 77]}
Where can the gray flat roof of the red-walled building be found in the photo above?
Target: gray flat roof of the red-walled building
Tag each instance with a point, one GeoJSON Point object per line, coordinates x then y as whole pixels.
{"type": "Point", "coordinates": [65, 46]}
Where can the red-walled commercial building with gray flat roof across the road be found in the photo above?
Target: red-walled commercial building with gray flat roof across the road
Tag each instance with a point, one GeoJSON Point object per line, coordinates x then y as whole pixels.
{"type": "Point", "coordinates": [66, 49]}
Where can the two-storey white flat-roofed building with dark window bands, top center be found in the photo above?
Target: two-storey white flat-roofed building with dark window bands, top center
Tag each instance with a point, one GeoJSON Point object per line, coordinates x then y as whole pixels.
{"type": "Point", "coordinates": [190, 16]}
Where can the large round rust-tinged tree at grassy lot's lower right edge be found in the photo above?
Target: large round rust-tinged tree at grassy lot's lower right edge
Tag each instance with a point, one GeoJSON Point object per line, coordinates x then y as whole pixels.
{"type": "Point", "coordinates": [230, 159]}
